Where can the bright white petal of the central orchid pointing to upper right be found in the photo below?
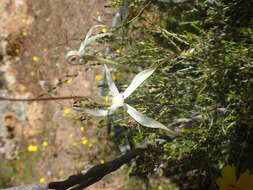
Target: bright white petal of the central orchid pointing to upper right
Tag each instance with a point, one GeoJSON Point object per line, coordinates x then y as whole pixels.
{"type": "Point", "coordinates": [138, 79]}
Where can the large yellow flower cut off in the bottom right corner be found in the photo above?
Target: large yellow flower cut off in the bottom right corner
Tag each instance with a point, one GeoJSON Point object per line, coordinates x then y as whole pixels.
{"type": "Point", "coordinates": [228, 180]}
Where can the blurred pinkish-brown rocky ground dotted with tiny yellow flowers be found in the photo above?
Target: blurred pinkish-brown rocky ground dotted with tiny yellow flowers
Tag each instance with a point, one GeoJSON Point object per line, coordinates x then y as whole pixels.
{"type": "Point", "coordinates": [35, 37]}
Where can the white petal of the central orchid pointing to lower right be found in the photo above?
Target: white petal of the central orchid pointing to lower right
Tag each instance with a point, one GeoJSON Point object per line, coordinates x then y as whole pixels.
{"type": "Point", "coordinates": [144, 120]}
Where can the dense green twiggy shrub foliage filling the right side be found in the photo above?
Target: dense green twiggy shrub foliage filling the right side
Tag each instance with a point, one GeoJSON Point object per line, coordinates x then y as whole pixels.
{"type": "Point", "coordinates": [203, 87]}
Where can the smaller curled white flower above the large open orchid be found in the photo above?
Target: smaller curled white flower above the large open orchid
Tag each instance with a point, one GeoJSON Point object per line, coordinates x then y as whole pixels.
{"type": "Point", "coordinates": [76, 55]}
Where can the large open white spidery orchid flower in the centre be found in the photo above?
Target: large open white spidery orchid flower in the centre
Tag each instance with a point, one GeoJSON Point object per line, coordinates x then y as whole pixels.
{"type": "Point", "coordinates": [118, 100]}
